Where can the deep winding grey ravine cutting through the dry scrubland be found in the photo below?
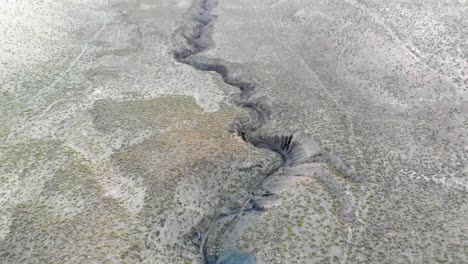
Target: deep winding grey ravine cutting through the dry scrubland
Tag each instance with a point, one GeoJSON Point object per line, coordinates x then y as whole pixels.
{"type": "Point", "coordinates": [194, 37]}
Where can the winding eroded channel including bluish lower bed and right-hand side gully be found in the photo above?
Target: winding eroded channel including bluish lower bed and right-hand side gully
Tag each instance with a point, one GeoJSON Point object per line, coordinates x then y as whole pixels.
{"type": "Point", "coordinates": [192, 39]}
